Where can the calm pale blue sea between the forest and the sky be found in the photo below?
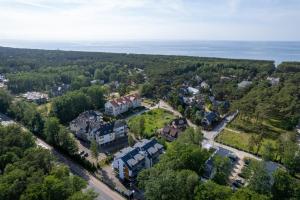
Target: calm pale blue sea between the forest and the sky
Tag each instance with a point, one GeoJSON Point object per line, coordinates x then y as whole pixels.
{"type": "Point", "coordinates": [261, 50]}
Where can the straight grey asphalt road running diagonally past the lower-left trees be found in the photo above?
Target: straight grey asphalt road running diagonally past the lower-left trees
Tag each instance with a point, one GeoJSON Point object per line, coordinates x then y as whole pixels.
{"type": "Point", "coordinates": [105, 193]}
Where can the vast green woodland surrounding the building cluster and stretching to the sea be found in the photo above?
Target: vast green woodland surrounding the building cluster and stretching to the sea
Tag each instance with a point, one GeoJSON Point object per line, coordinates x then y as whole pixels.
{"type": "Point", "coordinates": [268, 114]}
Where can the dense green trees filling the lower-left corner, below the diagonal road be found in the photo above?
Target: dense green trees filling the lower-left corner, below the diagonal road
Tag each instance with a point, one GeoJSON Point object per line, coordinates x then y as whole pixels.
{"type": "Point", "coordinates": [28, 172]}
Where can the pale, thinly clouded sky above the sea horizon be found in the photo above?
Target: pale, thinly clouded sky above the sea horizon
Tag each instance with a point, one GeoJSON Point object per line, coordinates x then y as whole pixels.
{"type": "Point", "coordinates": [109, 20]}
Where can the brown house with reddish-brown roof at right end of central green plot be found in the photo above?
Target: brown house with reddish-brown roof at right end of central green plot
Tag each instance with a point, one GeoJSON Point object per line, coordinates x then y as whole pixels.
{"type": "Point", "coordinates": [173, 130]}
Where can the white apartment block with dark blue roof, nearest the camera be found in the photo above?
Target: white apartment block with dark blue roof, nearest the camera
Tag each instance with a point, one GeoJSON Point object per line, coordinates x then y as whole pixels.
{"type": "Point", "coordinates": [131, 160]}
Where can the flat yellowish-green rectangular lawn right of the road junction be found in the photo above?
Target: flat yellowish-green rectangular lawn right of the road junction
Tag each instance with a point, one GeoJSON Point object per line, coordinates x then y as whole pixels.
{"type": "Point", "coordinates": [240, 140]}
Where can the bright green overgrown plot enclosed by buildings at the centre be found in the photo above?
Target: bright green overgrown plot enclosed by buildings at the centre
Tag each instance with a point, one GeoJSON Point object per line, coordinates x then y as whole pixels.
{"type": "Point", "coordinates": [154, 119]}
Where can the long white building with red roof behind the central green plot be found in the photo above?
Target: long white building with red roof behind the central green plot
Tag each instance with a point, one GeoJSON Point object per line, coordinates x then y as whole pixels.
{"type": "Point", "coordinates": [123, 104]}
